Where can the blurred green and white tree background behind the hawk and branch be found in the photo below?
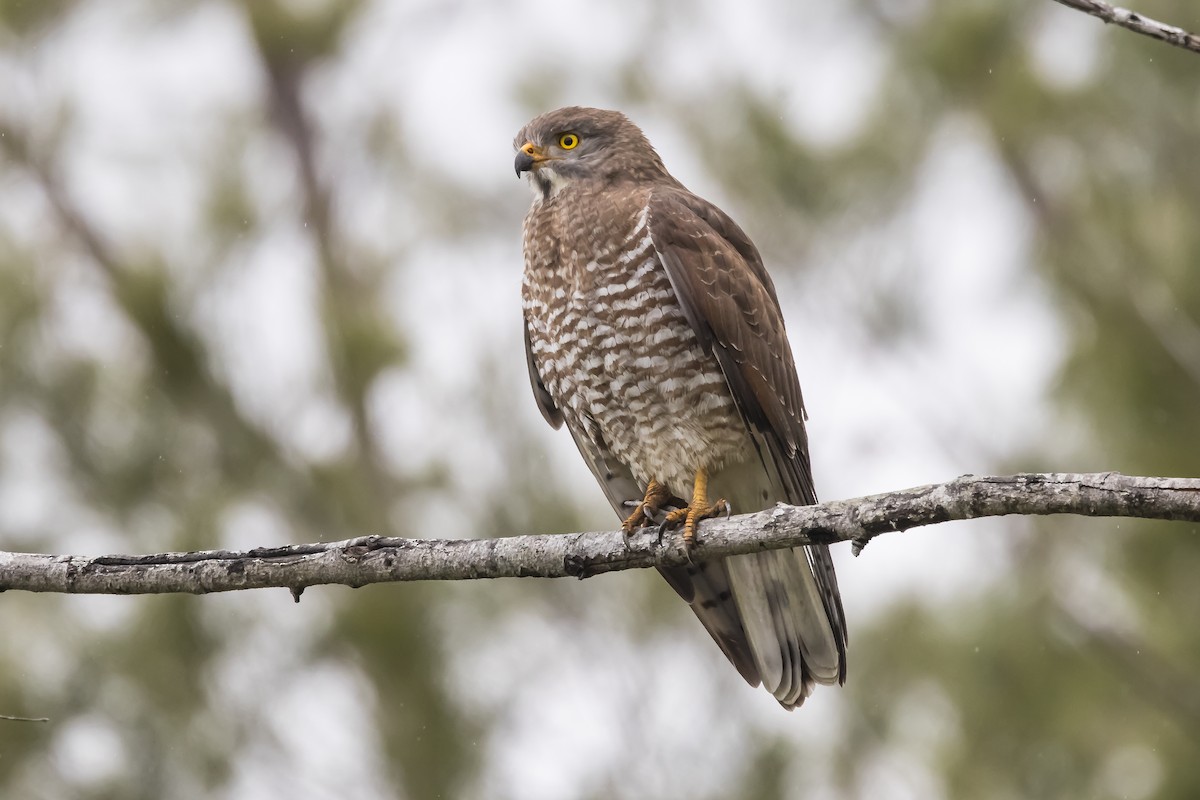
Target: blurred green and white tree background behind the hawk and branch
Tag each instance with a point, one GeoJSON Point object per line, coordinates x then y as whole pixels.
{"type": "Point", "coordinates": [260, 269]}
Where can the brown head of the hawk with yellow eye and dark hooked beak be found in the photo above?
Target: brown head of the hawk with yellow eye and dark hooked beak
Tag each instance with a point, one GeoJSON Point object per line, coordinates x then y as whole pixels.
{"type": "Point", "coordinates": [574, 146]}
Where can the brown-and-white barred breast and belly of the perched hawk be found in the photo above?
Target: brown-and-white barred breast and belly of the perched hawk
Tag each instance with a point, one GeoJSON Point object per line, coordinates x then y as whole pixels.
{"type": "Point", "coordinates": [615, 350]}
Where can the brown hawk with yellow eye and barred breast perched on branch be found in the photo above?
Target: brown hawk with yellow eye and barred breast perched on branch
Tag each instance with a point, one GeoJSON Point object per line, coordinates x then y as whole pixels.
{"type": "Point", "coordinates": [655, 333]}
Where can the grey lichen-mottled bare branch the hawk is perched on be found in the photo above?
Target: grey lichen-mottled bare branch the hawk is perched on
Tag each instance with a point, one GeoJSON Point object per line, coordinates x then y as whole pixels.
{"type": "Point", "coordinates": [379, 560]}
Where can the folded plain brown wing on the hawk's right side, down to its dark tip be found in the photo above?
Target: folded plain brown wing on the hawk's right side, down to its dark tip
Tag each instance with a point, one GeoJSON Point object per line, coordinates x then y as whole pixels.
{"type": "Point", "coordinates": [730, 302]}
